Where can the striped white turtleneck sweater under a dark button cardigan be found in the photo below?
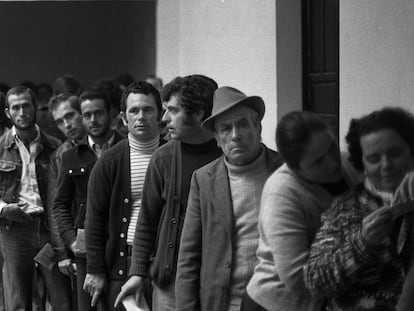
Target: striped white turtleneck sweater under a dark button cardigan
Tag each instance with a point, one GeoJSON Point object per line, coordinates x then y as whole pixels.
{"type": "Point", "coordinates": [139, 154]}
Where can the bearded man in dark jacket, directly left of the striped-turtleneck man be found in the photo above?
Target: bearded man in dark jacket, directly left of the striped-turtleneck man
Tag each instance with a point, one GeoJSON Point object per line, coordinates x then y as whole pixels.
{"type": "Point", "coordinates": [77, 163]}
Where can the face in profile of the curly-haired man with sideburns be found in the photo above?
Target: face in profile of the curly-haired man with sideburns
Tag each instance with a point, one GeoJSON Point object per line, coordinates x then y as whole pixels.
{"type": "Point", "coordinates": [180, 125]}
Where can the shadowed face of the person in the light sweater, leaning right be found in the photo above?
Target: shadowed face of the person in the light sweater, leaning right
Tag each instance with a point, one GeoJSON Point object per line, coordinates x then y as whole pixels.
{"type": "Point", "coordinates": [321, 162]}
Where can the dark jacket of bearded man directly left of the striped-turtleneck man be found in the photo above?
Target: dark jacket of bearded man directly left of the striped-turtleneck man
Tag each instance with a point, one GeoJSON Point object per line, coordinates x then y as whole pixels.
{"type": "Point", "coordinates": [70, 202]}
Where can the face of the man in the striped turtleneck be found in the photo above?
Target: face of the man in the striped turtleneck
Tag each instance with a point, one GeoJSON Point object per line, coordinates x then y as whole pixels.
{"type": "Point", "coordinates": [141, 115]}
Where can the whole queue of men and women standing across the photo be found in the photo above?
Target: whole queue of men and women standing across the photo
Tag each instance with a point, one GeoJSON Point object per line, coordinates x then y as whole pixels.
{"type": "Point", "coordinates": [209, 218]}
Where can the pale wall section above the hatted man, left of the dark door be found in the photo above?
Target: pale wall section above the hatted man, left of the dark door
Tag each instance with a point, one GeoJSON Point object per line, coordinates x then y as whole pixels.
{"type": "Point", "coordinates": [232, 41]}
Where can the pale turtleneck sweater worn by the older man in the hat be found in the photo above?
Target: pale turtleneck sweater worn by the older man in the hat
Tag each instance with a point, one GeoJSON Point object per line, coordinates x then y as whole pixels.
{"type": "Point", "coordinates": [246, 184]}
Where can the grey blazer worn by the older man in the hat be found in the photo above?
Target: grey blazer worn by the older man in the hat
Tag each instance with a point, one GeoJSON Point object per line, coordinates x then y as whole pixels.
{"type": "Point", "coordinates": [204, 265]}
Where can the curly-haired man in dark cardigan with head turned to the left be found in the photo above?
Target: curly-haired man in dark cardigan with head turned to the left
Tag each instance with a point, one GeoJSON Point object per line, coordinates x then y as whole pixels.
{"type": "Point", "coordinates": [187, 102]}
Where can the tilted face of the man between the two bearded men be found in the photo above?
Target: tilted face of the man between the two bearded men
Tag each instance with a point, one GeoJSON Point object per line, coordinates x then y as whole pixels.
{"type": "Point", "coordinates": [68, 120]}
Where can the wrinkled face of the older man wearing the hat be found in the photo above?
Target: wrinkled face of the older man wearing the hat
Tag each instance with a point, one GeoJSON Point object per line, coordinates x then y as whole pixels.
{"type": "Point", "coordinates": [237, 132]}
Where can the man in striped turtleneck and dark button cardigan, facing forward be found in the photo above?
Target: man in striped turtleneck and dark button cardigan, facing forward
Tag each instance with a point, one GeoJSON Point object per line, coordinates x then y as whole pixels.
{"type": "Point", "coordinates": [114, 193]}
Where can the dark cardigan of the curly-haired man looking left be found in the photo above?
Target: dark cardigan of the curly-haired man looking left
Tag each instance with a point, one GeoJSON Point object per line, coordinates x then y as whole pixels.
{"type": "Point", "coordinates": [159, 226]}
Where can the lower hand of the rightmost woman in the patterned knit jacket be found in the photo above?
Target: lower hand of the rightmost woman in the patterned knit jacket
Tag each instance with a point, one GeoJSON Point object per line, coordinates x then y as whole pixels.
{"type": "Point", "coordinates": [376, 226]}
